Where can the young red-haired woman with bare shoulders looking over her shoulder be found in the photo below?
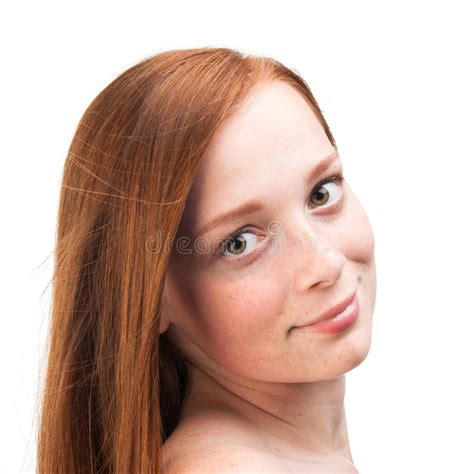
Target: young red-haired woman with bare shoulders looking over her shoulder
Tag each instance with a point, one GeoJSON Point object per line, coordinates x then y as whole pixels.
{"type": "Point", "coordinates": [214, 277]}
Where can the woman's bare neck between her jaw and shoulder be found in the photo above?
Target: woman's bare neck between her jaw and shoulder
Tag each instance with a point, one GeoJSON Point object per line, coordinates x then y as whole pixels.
{"type": "Point", "coordinates": [305, 419]}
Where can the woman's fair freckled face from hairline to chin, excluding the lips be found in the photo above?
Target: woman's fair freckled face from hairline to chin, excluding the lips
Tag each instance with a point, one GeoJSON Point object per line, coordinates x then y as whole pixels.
{"type": "Point", "coordinates": [300, 253]}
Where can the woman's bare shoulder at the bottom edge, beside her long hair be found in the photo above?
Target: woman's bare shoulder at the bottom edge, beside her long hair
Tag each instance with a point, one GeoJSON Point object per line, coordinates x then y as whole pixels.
{"type": "Point", "coordinates": [210, 454]}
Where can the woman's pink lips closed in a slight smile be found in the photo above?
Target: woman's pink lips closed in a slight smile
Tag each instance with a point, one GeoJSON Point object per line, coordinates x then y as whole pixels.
{"type": "Point", "coordinates": [334, 320]}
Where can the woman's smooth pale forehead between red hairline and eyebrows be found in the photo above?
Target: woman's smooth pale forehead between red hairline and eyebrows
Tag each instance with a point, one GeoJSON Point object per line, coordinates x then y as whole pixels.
{"type": "Point", "coordinates": [255, 150]}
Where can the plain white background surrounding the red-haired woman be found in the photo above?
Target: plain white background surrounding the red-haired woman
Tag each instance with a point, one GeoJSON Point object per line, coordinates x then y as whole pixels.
{"type": "Point", "coordinates": [395, 82]}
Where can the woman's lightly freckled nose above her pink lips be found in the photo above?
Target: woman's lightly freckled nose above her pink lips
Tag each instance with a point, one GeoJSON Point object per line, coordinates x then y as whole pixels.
{"type": "Point", "coordinates": [316, 261]}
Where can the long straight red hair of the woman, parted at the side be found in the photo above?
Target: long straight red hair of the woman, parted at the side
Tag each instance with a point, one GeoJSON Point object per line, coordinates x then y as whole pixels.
{"type": "Point", "coordinates": [114, 386]}
